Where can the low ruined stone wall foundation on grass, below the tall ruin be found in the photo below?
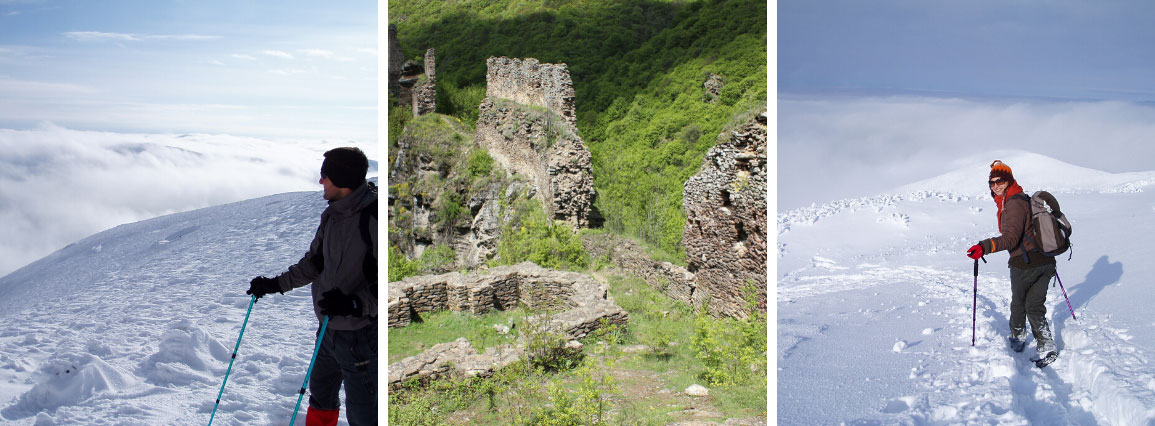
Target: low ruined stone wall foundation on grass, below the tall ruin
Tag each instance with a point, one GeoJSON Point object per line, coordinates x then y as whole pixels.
{"type": "Point", "coordinates": [585, 302]}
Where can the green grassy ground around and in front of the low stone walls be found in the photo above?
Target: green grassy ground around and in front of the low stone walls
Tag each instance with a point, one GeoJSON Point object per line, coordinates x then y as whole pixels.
{"type": "Point", "coordinates": [631, 377]}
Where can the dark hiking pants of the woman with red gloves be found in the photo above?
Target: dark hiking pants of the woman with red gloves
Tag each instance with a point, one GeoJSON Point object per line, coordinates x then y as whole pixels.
{"type": "Point", "coordinates": [1029, 302]}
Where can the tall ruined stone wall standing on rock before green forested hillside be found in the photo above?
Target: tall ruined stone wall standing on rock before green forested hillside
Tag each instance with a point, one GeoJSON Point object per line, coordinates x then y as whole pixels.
{"type": "Point", "coordinates": [528, 125]}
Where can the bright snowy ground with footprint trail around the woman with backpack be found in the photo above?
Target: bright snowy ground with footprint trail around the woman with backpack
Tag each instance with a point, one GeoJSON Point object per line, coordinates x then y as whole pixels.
{"type": "Point", "coordinates": [875, 307]}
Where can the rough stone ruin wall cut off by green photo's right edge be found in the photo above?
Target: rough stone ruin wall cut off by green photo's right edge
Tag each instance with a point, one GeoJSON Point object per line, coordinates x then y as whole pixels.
{"type": "Point", "coordinates": [726, 220]}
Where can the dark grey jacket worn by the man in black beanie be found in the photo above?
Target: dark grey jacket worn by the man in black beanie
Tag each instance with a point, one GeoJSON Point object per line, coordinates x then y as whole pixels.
{"type": "Point", "coordinates": [337, 257]}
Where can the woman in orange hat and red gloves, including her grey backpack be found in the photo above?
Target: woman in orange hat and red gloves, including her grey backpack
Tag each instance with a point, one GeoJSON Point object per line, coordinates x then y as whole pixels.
{"type": "Point", "coordinates": [1032, 261]}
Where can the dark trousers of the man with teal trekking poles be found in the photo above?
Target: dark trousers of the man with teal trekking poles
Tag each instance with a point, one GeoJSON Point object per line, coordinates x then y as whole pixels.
{"type": "Point", "coordinates": [348, 357]}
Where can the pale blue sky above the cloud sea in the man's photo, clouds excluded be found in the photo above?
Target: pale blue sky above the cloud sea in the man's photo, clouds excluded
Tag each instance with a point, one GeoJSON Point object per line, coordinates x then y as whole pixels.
{"type": "Point", "coordinates": [267, 70]}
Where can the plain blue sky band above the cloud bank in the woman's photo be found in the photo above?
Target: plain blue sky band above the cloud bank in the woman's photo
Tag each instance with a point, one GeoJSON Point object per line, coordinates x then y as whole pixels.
{"type": "Point", "coordinates": [1064, 49]}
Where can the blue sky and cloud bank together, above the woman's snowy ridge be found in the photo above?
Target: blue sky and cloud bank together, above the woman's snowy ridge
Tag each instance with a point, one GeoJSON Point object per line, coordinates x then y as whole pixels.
{"type": "Point", "coordinates": [875, 95]}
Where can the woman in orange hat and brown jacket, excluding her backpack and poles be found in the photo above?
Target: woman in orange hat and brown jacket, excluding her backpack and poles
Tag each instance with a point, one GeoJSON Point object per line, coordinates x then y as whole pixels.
{"type": "Point", "coordinates": [1031, 272]}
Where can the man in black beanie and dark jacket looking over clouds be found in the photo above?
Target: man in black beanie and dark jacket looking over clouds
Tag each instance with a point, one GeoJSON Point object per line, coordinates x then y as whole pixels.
{"type": "Point", "coordinates": [345, 288]}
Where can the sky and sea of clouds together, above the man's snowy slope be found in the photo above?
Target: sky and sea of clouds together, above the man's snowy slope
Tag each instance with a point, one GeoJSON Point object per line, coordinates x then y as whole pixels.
{"type": "Point", "coordinates": [118, 111]}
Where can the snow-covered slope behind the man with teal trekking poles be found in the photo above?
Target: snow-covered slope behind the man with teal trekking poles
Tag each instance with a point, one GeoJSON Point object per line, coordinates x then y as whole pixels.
{"type": "Point", "coordinates": [135, 326]}
